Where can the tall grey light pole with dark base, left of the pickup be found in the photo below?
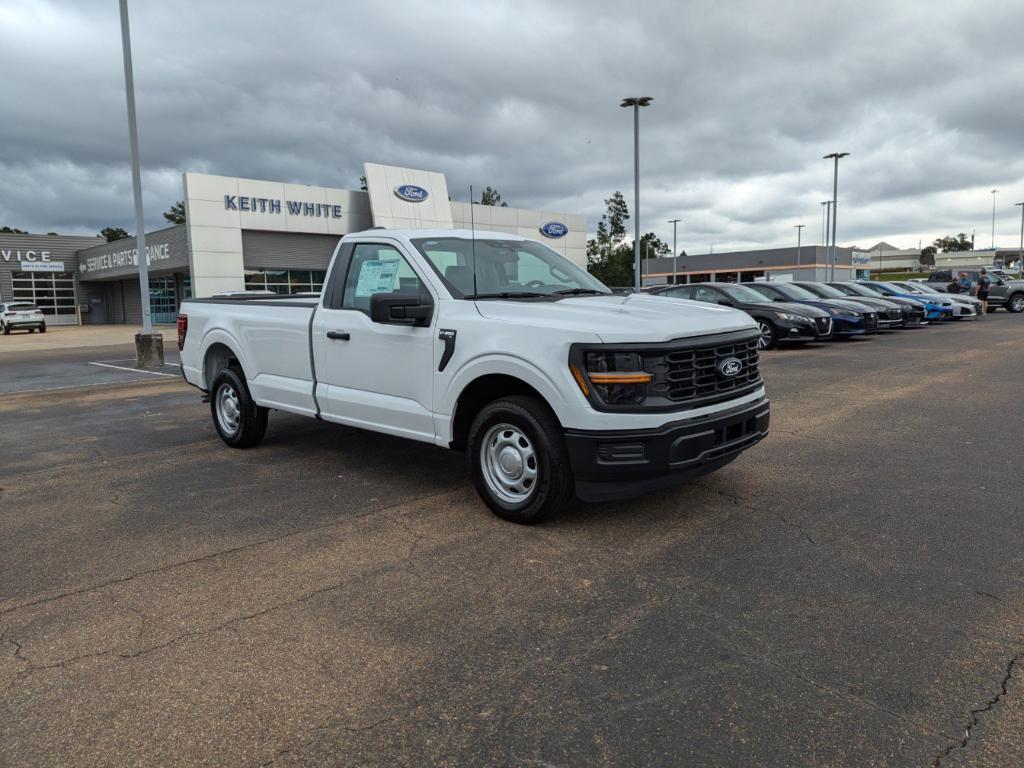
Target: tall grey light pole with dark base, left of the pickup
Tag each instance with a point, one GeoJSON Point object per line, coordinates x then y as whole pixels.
{"type": "Point", "coordinates": [149, 346]}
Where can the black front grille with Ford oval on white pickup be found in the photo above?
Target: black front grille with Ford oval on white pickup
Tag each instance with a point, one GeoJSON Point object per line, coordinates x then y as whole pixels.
{"type": "Point", "coordinates": [693, 375]}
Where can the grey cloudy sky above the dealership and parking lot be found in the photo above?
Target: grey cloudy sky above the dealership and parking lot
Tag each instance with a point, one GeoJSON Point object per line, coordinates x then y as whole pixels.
{"type": "Point", "coordinates": [927, 97]}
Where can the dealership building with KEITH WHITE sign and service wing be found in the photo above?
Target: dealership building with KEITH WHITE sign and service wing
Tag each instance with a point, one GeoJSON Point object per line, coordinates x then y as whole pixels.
{"type": "Point", "coordinates": [248, 235]}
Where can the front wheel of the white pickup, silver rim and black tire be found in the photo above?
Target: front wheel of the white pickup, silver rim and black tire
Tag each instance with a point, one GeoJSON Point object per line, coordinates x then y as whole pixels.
{"type": "Point", "coordinates": [519, 460]}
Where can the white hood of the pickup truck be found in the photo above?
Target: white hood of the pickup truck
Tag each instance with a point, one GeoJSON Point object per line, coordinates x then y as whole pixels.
{"type": "Point", "coordinates": [615, 319]}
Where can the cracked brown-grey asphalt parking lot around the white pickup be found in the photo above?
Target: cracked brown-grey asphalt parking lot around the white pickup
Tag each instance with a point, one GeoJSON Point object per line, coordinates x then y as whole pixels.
{"type": "Point", "coordinates": [847, 593]}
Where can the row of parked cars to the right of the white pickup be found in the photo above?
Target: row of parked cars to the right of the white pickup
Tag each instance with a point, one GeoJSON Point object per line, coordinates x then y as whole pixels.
{"type": "Point", "coordinates": [799, 313]}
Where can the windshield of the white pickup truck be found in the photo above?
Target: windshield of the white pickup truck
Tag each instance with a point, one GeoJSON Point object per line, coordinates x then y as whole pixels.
{"type": "Point", "coordinates": [505, 269]}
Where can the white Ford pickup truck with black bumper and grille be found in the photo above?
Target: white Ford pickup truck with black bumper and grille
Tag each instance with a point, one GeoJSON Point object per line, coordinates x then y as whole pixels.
{"type": "Point", "coordinates": [495, 346]}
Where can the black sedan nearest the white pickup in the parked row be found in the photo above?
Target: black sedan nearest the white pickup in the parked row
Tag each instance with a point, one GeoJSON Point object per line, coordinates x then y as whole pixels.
{"type": "Point", "coordinates": [779, 323]}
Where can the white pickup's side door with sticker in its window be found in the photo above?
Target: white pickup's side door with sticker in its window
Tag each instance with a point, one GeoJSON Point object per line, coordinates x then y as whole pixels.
{"type": "Point", "coordinates": [374, 375]}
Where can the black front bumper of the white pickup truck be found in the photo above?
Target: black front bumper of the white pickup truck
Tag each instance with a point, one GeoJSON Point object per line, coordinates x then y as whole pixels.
{"type": "Point", "coordinates": [619, 464]}
